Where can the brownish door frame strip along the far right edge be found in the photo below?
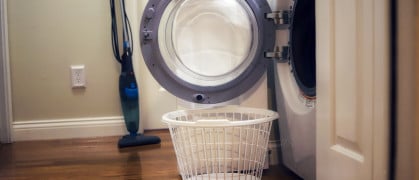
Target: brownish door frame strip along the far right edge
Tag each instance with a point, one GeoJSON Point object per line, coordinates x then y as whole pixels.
{"type": "Point", "coordinates": [404, 140]}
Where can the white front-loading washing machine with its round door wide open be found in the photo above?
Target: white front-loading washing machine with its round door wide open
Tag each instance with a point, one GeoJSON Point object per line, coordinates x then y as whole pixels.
{"type": "Point", "coordinates": [214, 51]}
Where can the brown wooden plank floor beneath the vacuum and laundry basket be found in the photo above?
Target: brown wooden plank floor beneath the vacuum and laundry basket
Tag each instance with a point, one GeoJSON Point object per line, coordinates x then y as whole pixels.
{"type": "Point", "coordinates": [97, 158]}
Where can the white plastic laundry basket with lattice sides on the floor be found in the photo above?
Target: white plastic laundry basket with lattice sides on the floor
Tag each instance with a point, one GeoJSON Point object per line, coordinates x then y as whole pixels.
{"type": "Point", "coordinates": [220, 143]}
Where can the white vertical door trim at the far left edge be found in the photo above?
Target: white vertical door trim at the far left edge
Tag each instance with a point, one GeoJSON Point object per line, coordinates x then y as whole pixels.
{"type": "Point", "coordinates": [5, 84]}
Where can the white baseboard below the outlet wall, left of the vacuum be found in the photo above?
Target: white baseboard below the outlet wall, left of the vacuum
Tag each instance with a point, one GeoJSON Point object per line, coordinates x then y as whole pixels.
{"type": "Point", "coordinates": [68, 128]}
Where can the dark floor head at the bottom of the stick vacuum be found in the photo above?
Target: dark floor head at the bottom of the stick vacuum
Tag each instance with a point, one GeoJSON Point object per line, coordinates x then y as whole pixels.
{"type": "Point", "coordinates": [137, 140]}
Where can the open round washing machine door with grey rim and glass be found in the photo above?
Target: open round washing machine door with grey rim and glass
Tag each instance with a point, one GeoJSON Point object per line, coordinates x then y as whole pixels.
{"type": "Point", "coordinates": [206, 51]}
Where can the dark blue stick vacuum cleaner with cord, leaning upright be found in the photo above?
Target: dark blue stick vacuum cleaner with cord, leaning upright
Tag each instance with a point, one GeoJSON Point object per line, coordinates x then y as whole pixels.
{"type": "Point", "coordinates": [128, 89]}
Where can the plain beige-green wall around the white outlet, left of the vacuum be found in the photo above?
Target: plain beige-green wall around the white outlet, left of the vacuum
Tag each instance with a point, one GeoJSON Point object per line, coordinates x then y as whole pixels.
{"type": "Point", "coordinates": [45, 38]}
